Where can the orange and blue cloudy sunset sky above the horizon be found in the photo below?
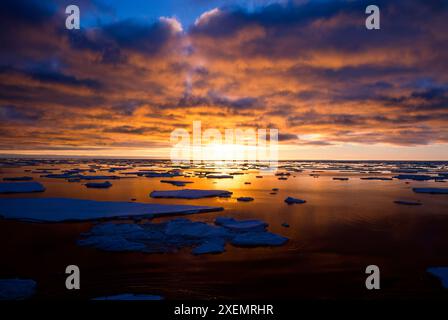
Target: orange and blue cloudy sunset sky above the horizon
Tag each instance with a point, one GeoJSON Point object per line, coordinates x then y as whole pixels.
{"type": "Point", "coordinates": [137, 70]}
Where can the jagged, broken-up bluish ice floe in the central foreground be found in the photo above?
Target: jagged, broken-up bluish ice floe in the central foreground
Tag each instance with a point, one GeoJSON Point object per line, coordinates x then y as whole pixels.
{"type": "Point", "coordinates": [175, 234]}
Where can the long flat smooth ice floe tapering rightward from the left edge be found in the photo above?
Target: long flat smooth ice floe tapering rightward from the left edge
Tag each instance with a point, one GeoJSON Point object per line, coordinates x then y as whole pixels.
{"type": "Point", "coordinates": [65, 209]}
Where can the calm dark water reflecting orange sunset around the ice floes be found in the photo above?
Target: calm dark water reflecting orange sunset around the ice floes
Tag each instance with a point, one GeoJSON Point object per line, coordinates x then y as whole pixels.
{"type": "Point", "coordinates": [343, 227]}
